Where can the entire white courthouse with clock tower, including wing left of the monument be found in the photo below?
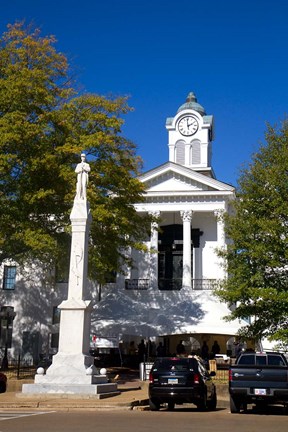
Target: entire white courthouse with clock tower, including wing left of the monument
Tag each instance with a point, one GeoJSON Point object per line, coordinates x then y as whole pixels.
{"type": "Point", "coordinates": [168, 294]}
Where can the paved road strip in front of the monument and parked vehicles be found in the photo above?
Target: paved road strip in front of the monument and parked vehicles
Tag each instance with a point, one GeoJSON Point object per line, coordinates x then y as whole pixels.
{"type": "Point", "coordinates": [183, 420]}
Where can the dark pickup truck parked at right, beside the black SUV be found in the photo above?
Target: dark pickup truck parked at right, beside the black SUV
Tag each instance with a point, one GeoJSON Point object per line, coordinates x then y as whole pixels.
{"type": "Point", "coordinates": [258, 378]}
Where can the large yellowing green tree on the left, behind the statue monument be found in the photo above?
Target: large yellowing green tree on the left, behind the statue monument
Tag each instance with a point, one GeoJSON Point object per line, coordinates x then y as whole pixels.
{"type": "Point", "coordinates": [45, 124]}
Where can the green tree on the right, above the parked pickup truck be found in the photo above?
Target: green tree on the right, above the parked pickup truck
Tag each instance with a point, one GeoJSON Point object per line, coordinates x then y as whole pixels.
{"type": "Point", "coordinates": [257, 257]}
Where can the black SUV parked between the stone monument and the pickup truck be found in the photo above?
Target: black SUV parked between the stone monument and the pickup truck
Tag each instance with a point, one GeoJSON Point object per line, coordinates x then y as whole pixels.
{"type": "Point", "coordinates": [178, 380]}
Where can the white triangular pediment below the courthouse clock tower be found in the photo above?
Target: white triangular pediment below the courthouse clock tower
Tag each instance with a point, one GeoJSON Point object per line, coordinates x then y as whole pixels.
{"type": "Point", "coordinates": [177, 178]}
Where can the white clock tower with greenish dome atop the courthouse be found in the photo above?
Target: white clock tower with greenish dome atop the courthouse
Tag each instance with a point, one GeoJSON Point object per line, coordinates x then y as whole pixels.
{"type": "Point", "coordinates": [190, 133]}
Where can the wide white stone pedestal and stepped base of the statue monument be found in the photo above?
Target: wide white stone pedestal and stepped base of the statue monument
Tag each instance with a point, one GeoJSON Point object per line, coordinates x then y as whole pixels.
{"type": "Point", "coordinates": [72, 372]}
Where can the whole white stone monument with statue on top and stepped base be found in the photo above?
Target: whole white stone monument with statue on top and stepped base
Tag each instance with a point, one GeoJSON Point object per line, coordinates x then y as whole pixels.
{"type": "Point", "coordinates": [72, 370]}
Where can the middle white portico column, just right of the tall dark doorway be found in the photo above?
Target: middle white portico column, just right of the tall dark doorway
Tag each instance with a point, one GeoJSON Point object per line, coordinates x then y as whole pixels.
{"type": "Point", "coordinates": [186, 278]}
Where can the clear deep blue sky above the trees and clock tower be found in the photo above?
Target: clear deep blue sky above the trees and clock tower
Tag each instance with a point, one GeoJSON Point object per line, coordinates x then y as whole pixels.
{"type": "Point", "coordinates": [232, 54]}
